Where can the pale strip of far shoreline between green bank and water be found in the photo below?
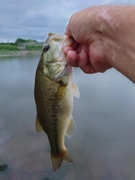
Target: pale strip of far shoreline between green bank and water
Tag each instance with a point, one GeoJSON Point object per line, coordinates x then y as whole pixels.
{"type": "Point", "coordinates": [18, 53]}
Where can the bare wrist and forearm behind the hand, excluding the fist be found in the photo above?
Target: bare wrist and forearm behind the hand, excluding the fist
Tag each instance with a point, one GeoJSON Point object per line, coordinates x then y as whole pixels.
{"type": "Point", "coordinates": [118, 33]}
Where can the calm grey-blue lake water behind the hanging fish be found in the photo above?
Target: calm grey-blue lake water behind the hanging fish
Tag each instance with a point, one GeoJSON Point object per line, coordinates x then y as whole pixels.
{"type": "Point", "coordinates": [103, 147]}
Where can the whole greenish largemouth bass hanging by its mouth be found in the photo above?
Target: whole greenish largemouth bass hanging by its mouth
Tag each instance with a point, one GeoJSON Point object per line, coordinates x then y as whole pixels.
{"type": "Point", "coordinates": [54, 92]}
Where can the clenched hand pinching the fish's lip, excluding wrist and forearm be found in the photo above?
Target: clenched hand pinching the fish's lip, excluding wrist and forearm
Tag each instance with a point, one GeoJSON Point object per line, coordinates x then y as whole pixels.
{"type": "Point", "coordinates": [88, 51]}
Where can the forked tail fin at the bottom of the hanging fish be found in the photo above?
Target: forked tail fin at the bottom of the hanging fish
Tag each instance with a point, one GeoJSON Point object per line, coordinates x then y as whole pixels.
{"type": "Point", "coordinates": [58, 159]}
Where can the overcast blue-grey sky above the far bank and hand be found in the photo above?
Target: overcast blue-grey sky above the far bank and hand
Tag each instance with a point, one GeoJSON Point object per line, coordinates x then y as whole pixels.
{"type": "Point", "coordinates": [35, 18]}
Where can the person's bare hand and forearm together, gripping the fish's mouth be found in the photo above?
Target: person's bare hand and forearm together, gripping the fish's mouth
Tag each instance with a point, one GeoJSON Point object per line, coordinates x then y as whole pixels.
{"type": "Point", "coordinates": [105, 37]}
